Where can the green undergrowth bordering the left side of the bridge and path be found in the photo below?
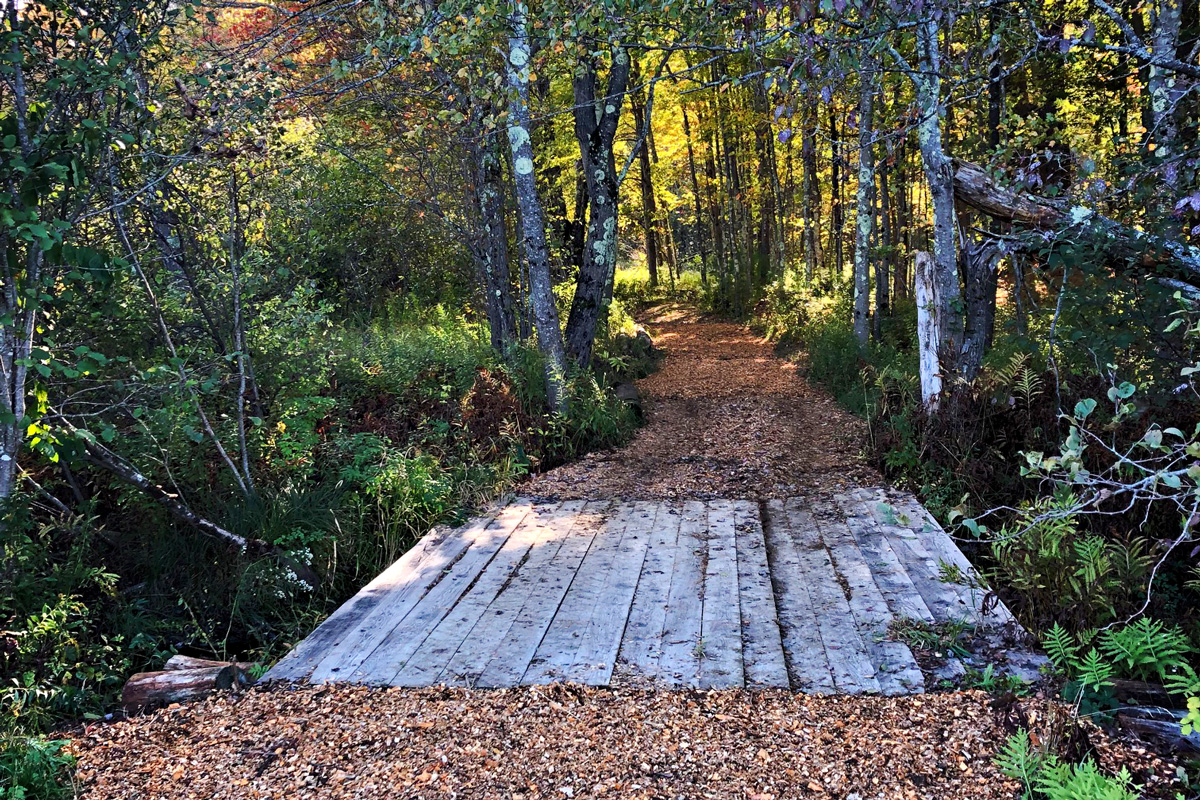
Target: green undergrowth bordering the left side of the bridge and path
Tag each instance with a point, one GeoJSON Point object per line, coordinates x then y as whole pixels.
{"type": "Point", "coordinates": [385, 432]}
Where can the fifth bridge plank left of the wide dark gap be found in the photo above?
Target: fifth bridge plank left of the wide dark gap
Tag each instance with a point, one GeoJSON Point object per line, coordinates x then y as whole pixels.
{"type": "Point", "coordinates": [596, 655]}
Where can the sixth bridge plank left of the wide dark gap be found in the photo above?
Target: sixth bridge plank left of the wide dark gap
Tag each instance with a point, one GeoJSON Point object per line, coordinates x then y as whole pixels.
{"type": "Point", "coordinates": [556, 653]}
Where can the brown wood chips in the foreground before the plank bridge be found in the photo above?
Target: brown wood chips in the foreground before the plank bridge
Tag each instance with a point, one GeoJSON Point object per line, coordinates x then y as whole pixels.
{"type": "Point", "coordinates": [556, 743]}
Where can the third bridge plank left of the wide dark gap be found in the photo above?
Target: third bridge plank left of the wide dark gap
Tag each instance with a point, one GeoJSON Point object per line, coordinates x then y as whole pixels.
{"type": "Point", "coordinates": [680, 659]}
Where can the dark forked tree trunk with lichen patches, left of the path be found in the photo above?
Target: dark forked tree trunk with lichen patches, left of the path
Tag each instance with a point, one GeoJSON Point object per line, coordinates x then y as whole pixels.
{"type": "Point", "coordinates": [596, 128]}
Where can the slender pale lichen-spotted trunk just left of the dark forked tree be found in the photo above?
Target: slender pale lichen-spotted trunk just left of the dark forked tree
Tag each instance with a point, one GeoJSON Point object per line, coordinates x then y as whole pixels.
{"type": "Point", "coordinates": [533, 219]}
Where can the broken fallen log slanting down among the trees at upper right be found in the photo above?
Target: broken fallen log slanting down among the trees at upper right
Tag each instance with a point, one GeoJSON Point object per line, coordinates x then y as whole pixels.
{"type": "Point", "coordinates": [974, 188]}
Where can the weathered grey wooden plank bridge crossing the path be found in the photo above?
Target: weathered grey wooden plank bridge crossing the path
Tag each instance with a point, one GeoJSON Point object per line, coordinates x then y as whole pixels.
{"type": "Point", "coordinates": [794, 594]}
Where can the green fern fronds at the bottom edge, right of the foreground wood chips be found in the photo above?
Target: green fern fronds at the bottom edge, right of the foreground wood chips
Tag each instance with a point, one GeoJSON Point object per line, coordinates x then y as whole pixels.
{"type": "Point", "coordinates": [1043, 775]}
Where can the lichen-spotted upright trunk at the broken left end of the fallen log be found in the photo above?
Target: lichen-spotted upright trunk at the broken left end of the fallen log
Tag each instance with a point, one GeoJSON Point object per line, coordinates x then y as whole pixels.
{"type": "Point", "coordinates": [940, 178]}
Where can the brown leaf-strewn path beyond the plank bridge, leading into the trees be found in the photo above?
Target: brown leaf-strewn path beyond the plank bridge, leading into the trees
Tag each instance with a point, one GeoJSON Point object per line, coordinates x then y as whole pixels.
{"type": "Point", "coordinates": [725, 418]}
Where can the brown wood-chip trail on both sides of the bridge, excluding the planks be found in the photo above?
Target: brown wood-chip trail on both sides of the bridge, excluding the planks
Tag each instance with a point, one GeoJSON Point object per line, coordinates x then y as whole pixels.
{"type": "Point", "coordinates": [725, 419]}
